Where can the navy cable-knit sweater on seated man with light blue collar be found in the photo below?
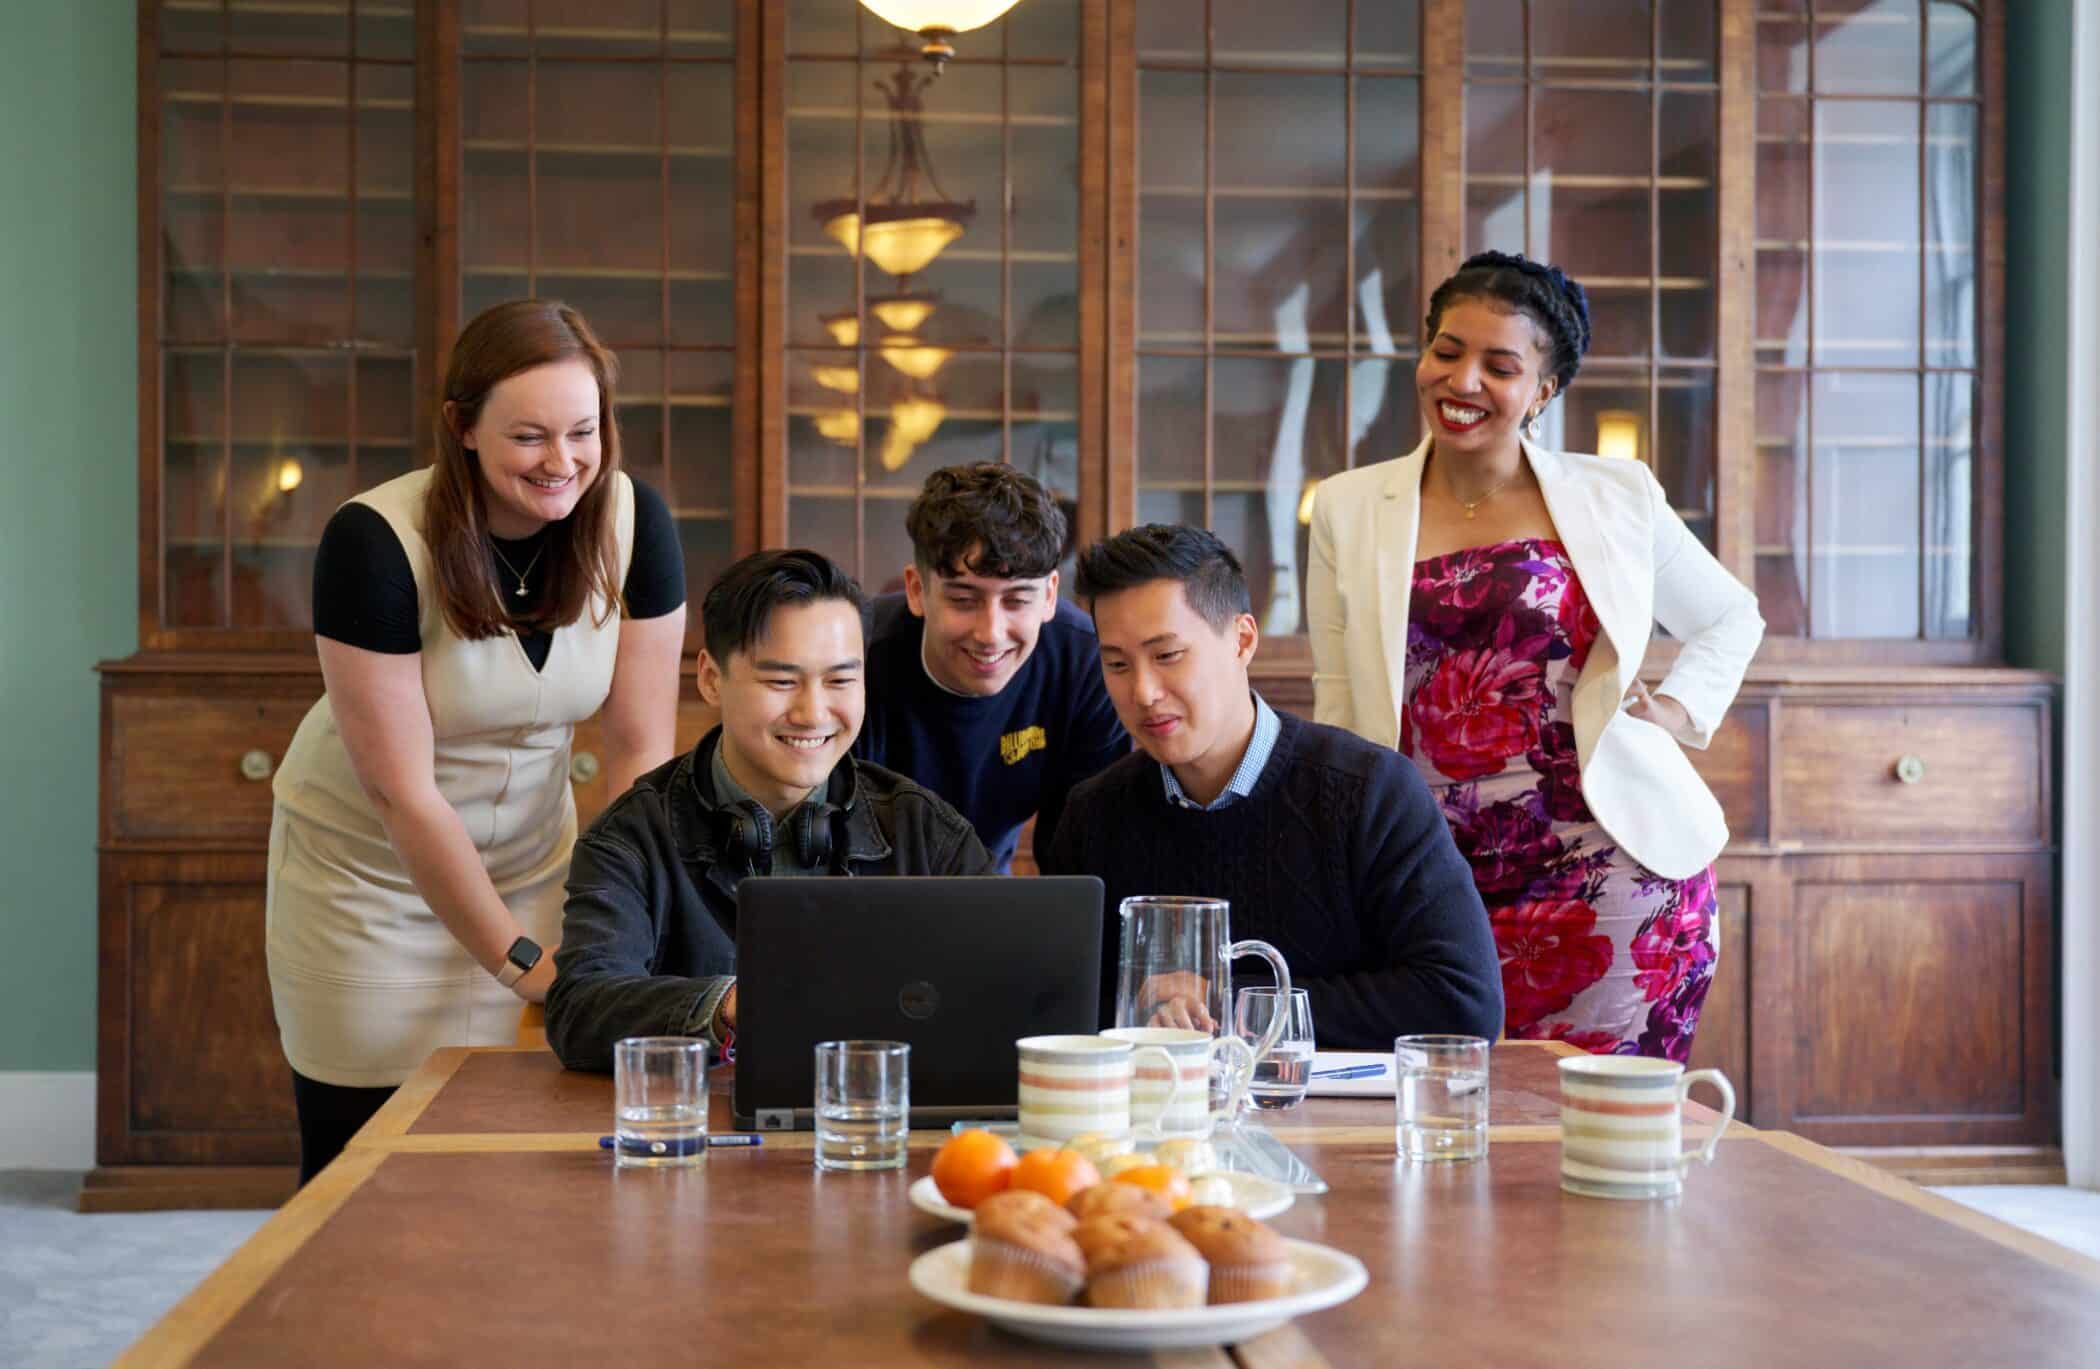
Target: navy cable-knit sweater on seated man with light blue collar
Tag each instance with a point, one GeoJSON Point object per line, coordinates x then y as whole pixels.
{"type": "Point", "coordinates": [1339, 858]}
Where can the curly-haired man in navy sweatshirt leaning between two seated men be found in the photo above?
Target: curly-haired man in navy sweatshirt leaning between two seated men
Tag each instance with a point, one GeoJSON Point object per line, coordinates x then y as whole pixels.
{"type": "Point", "coordinates": [982, 686]}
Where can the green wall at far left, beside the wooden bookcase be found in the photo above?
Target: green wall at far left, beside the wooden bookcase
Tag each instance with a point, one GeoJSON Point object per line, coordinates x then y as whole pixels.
{"type": "Point", "coordinates": [68, 522]}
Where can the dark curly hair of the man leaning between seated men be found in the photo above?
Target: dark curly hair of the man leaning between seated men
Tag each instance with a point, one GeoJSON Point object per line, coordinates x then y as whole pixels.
{"type": "Point", "coordinates": [986, 520]}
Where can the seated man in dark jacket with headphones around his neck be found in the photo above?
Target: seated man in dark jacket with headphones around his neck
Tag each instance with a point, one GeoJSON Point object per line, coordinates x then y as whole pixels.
{"type": "Point", "coordinates": [648, 944]}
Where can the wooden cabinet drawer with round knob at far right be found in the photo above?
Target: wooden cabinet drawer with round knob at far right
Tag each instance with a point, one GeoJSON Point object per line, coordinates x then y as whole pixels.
{"type": "Point", "coordinates": [1946, 774]}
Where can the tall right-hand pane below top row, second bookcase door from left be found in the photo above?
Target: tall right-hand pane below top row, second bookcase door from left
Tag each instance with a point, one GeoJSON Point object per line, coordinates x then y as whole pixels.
{"type": "Point", "coordinates": [702, 205]}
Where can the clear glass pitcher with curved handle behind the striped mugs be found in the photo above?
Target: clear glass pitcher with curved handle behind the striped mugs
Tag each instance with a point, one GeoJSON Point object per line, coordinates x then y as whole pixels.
{"type": "Point", "coordinates": [1177, 971]}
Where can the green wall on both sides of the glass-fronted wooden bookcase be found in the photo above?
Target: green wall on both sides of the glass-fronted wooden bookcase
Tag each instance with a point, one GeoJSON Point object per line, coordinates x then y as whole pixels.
{"type": "Point", "coordinates": [68, 442]}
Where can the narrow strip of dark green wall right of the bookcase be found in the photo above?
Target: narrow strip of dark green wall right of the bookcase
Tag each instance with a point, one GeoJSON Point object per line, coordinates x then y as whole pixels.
{"type": "Point", "coordinates": [2038, 207]}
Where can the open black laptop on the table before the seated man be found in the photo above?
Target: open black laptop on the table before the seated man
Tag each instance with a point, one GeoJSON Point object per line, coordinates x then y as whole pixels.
{"type": "Point", "coordinates": [957, 967]}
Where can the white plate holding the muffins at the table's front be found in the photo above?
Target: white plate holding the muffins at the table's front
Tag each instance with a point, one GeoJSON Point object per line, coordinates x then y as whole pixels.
{"type": "Point", "coordinates": [1324, 1280]}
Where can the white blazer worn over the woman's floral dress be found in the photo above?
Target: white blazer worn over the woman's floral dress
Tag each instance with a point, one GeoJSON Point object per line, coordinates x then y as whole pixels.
{"type": "Point", "coordinates": [1637, 564]}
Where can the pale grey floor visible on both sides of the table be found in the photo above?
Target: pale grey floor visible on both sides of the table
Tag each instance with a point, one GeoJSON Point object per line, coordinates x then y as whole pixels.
{"type": "Point", "coordinates": [75, 1290]}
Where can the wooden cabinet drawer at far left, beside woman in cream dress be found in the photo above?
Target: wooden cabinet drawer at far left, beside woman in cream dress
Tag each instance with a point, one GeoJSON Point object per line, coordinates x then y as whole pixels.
{"type": "Point", "coordinates": [188, 767]}
